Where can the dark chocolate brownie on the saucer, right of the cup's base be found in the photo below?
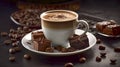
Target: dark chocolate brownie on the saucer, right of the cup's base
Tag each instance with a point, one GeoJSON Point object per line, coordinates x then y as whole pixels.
{"type": "Point", "coordinates": [79, 42]}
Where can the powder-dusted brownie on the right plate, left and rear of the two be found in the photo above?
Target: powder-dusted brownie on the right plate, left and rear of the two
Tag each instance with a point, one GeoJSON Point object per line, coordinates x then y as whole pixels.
{"type": "Point", "coordinates": [101, 25]}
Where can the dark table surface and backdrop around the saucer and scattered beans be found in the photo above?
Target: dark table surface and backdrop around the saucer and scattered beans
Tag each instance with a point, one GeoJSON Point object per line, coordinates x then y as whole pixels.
{"type": "Point", "coordinates": [105, 9]}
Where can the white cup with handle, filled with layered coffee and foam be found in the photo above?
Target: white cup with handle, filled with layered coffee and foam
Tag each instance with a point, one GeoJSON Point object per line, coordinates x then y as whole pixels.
{"type": "Point", "coordinates": [59, 25]}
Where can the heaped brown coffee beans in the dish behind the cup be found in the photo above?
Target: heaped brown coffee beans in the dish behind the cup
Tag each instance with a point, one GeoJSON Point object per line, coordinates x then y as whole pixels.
{"type": "Point", "coordinates": [28, 17]}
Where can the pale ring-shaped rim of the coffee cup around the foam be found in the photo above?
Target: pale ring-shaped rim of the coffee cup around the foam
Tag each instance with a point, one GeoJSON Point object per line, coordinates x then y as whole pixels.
{"type": "Point", "coordinates": [69, 11]}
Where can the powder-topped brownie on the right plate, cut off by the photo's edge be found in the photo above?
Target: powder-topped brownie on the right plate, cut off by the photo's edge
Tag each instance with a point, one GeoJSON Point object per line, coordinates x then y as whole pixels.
{"type": "Point", "coordinates": [112, 30]}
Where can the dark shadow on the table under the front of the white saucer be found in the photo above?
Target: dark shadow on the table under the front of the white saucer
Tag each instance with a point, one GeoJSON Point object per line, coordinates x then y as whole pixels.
{"type": "Point", "coordinates": [63, 59]}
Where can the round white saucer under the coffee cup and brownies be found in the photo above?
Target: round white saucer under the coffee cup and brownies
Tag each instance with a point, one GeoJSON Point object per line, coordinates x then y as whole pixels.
{"type": "Point", "coordinates": [27, 38]}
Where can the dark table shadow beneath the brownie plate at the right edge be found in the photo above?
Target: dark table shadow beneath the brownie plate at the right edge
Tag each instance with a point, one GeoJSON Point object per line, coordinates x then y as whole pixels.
{"type": "Point", "coordinates": [110, 41]}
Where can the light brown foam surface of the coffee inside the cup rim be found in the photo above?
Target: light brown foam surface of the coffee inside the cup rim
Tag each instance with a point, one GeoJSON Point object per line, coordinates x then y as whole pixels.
{"type": "Point", "coordinates": [59, 16]}
